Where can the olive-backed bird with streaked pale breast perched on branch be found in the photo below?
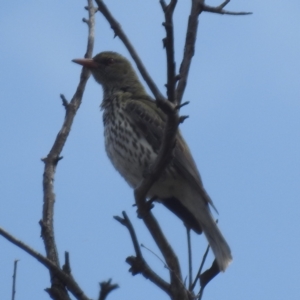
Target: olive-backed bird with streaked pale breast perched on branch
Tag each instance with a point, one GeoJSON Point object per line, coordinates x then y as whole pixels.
{"type": "Point", "coordinates": [133, 133]}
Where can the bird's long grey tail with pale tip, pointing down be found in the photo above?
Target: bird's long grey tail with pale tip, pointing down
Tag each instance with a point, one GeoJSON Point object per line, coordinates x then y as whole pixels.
{"type": "Point", "coordinates": [215, 239]}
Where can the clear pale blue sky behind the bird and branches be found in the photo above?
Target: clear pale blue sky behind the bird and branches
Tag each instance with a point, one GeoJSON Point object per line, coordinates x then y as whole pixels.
{"type": "Point", "coordinates": [243, 131]}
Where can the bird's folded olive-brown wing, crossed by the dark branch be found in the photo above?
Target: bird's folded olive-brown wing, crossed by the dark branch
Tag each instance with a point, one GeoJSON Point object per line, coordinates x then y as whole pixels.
{"type": "Point", "coordinates": [146, 116]}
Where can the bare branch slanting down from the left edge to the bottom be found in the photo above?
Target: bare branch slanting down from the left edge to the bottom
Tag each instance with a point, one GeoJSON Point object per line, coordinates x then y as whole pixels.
{"type": "Point", "coordinates": [51, 266]}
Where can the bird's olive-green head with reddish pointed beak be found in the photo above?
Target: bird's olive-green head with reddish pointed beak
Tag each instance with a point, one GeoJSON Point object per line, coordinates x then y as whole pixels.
{"type": "Point", "coordinates": [114, 72]}
